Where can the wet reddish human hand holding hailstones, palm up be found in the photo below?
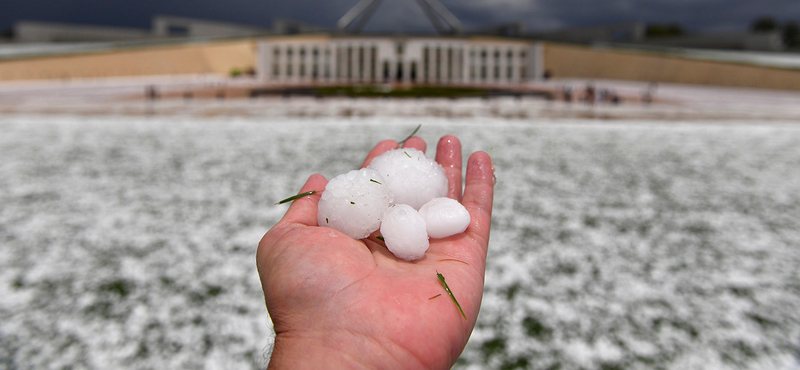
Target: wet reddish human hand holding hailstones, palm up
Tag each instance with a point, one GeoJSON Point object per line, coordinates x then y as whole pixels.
{"type": "Point", "coordinates": [340, 302]}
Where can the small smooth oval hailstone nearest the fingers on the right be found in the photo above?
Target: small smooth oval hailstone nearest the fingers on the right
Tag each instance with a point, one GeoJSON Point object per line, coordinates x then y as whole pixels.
{"type": "Point", "coordinates": [444, 217]}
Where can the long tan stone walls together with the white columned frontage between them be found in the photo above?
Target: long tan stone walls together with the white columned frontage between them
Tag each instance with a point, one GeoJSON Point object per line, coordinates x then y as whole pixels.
{"type": "Point", "coordinates": [324, 58]}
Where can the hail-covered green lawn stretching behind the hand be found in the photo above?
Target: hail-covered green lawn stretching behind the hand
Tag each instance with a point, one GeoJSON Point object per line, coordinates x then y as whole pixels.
{"type": "Point", "coordinates": [129, 241]}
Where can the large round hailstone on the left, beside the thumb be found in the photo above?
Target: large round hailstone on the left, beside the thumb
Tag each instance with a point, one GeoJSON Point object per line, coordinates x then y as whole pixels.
{"type": "Point", "coordinates": [353, 203]}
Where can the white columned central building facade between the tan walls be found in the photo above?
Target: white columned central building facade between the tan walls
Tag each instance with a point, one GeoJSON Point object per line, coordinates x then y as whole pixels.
{"type": "Point", "coordinates": [326, 59]}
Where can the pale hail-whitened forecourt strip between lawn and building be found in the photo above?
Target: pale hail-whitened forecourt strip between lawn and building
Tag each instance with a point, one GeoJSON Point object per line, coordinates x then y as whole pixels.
{"type": "Point", "coordinates": [125, 96]}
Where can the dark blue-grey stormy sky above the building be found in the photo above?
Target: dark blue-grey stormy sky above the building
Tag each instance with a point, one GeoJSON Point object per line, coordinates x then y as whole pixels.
{"type": "Point", "coordinates": [405, 15]}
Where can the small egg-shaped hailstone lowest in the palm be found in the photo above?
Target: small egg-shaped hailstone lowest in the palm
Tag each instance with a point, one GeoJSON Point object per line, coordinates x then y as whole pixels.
{"type": "Point", "coordinates": [404, 232]}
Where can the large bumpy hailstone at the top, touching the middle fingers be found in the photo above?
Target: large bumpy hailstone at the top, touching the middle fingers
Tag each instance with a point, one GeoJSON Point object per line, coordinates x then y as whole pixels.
{"type": "Point", "coordinates": [413, 178]}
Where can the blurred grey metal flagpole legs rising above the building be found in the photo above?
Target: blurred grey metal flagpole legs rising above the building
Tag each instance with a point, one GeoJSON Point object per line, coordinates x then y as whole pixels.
{"type": "Point", "coordinates": [438, 15]}
